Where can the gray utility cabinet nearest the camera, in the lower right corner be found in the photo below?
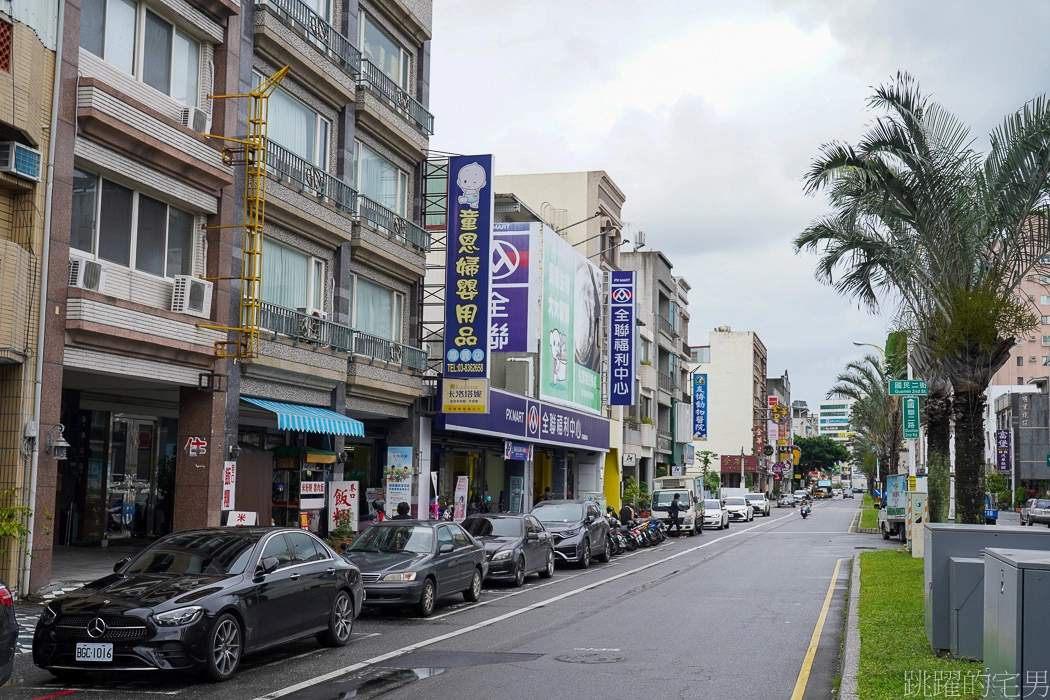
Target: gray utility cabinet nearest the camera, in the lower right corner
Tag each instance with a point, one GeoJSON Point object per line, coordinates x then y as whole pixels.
{"type": "Point", "coordinates": [1016, 622]}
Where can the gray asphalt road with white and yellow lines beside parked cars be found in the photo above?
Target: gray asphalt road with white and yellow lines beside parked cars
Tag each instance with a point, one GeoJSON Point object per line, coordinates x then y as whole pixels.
{"type": "Point", "coordinates": [728, 614]}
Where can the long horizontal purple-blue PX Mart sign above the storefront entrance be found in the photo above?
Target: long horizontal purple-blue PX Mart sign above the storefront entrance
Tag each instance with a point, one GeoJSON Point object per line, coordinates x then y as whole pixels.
{"type": "Point", "coordinates": [516, 417]}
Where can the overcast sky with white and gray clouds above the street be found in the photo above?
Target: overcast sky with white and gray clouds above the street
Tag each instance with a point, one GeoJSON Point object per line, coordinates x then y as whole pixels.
{"type": "Point", "coordinates": [708, 114]}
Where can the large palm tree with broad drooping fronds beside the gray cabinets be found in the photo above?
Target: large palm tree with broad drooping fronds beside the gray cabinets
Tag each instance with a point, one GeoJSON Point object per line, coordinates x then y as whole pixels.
{"type": "Point", "coordinates": [920, 218]}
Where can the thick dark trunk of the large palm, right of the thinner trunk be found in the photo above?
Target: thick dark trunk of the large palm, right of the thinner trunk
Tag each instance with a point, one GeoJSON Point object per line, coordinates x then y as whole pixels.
{"type": "Point", "coordinates": [970, 408]}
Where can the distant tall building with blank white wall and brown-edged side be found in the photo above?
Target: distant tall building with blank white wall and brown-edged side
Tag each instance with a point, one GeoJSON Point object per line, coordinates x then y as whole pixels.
{"type": "Point", "coordinates": [736, 364]}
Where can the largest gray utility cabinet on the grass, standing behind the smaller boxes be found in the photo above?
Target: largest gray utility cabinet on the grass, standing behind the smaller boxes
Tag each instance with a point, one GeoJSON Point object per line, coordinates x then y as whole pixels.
{"type": "Point", "coordinates": [943, 541]}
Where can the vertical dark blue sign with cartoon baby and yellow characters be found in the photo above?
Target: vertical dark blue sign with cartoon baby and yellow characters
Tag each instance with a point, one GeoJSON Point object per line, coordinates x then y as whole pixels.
{"type": "Point", "coordinates": [469, 267]}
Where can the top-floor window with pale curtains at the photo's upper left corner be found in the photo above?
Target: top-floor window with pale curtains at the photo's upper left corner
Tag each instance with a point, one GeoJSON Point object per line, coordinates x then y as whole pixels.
{"type": "Point", "coordinates": [143, 45]}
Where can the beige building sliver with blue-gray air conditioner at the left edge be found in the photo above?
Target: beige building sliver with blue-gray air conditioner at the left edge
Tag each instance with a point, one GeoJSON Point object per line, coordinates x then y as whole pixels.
{"type": "Point", "coordinates": [29, 45]}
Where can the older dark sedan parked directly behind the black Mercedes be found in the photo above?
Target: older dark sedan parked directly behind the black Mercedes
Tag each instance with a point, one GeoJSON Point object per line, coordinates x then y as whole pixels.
{"type": "Point", "coordinates": [414, 563]}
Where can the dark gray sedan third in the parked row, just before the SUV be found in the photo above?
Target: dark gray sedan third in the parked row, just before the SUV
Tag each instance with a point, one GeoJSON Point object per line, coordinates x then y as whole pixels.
{"type": "Point", "coordinates": [516, 546]}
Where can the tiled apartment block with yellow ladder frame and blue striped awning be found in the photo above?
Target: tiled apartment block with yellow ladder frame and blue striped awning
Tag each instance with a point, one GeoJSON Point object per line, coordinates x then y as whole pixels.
{"type": "Point", "coordinates": [157, 391]}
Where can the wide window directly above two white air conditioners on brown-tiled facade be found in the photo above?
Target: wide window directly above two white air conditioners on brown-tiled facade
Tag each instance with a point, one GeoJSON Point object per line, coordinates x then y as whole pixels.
{"type": "Point", "coordinates": [122, 226]}
